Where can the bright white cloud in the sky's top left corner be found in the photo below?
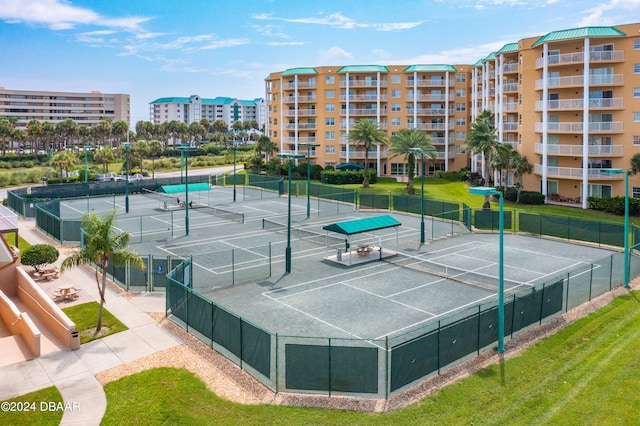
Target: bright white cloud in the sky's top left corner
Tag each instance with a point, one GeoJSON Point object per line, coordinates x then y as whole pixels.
{"type": "Point", "coordinates": [60, 15]}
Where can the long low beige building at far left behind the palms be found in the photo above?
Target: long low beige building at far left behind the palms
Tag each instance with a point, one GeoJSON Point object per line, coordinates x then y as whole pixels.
{"type": "Point", "coordinates": [84, 108]}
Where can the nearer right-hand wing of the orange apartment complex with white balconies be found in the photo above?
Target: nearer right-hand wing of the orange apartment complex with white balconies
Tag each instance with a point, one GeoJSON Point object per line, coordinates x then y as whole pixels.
{"type": "Point", "coordinates": [570, 102]}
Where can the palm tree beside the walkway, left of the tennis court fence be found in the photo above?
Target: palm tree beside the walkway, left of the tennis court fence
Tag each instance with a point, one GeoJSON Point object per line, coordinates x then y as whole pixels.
{"type": "Point", "coordinates": [102, 246]}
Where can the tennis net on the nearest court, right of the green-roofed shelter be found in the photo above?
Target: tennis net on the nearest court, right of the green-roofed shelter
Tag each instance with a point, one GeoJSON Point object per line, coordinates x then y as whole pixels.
{"type": "Point", "coordinates": [474, 278]}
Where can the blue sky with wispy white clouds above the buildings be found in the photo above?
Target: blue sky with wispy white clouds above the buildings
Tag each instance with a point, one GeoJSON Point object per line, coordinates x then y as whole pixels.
{"type": "Point", "coordinates": [158, 48]}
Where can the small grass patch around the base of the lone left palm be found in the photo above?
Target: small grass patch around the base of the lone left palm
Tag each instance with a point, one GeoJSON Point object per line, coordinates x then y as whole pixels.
{"type": "Point", "coordinates": [85, 317]}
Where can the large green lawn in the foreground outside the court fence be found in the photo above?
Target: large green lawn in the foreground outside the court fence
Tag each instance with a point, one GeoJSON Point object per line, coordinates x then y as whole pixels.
{"type": "Point", "coordinates": [586, 374]}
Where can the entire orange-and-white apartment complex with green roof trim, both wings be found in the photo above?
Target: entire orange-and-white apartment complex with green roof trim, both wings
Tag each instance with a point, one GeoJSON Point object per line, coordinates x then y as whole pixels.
{"type": "Point", "coordinates": [569, 101]}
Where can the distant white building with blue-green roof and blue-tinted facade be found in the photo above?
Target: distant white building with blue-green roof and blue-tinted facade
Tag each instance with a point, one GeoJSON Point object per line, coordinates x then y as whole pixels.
{"type": "Point", "coordinates": [195, 108]}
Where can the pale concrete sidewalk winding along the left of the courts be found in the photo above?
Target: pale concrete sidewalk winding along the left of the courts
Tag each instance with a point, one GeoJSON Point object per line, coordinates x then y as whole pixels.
{"type": "Point", "coordinates": [72, 372]}
